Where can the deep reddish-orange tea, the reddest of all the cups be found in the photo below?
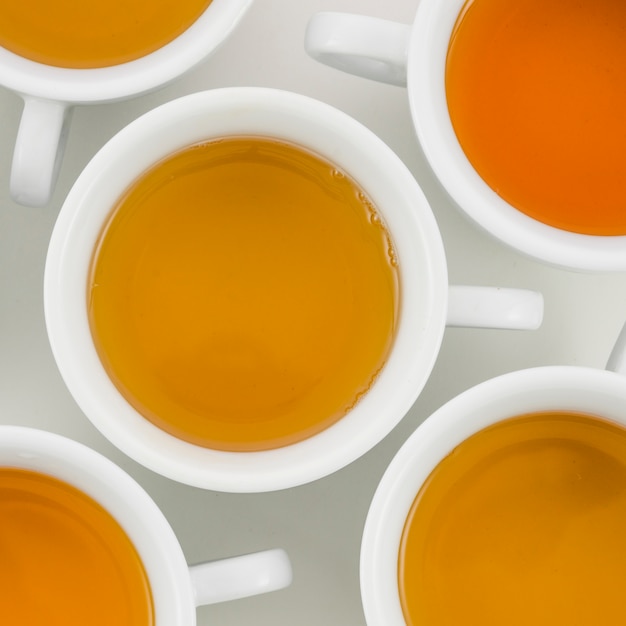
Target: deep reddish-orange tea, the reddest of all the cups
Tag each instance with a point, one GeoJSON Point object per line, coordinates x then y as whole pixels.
{"type": "Point", "coordinates": [536, 98]}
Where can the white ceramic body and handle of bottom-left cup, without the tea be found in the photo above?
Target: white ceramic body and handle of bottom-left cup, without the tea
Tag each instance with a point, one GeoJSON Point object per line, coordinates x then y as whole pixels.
{"type": "Point", "coordinates": [177, 589]}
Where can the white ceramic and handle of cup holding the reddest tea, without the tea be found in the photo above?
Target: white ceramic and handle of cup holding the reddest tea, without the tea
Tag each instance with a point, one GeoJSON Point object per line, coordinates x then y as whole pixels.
{"type": "Point", "coordinates": [415, 56]}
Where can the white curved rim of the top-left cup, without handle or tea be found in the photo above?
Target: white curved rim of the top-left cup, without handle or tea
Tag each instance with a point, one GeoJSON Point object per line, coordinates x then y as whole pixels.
{"type": "Point", "coordinates": [87, 86]}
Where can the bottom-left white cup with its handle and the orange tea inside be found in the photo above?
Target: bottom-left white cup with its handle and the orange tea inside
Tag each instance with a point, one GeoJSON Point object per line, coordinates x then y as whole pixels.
{"type": "Point", "coordinates": [174, 588]}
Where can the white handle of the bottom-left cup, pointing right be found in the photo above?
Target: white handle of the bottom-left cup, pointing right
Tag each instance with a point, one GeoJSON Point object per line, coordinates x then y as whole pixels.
{"type": "Point", "coordinates": [240, 576]}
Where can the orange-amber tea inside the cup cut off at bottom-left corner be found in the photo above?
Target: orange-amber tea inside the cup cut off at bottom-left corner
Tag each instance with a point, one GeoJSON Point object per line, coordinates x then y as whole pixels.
{"type": "Point", "coordinates": [64, 559]}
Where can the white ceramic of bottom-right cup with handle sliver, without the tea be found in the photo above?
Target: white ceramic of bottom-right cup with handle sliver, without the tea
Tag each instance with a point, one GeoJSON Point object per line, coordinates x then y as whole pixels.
{"type": "Point", "coordinates": [550, 388]}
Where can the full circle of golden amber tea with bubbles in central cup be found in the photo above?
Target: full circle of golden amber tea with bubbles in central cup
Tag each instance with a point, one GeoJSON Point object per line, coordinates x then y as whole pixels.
{"type": "Point", "coordinates": [244, 294]}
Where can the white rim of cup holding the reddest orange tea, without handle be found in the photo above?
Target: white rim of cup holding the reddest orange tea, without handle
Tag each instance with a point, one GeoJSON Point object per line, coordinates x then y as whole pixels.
{"type": "Point", "coordinates": [428, 44]}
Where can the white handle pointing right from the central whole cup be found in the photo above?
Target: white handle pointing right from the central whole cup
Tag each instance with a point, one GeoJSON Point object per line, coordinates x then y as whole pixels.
{"type": "Point", "coordinates": [494, 307]}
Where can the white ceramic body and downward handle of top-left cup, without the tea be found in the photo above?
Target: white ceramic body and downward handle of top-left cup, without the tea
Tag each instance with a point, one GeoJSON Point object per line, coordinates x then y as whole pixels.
{"type": "Point", "coordinates": [49, 93]}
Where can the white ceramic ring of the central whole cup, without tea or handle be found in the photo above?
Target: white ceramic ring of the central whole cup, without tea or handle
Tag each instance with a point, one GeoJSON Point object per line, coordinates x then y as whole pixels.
{"type": "Point", "coordinates": [202, 117]}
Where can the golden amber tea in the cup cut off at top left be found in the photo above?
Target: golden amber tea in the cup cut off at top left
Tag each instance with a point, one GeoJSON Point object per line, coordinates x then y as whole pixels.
{"type": "Point", "coordinates": [88, 34]}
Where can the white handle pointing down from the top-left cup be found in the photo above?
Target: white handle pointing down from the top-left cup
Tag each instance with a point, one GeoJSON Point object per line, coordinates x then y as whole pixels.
{"type": "Point", "coordinates": [38, 150]}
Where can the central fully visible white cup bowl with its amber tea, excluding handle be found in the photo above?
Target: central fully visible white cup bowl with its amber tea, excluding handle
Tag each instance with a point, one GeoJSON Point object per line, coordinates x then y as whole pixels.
{"type": "Point", "coordinates": [387, 221]}
